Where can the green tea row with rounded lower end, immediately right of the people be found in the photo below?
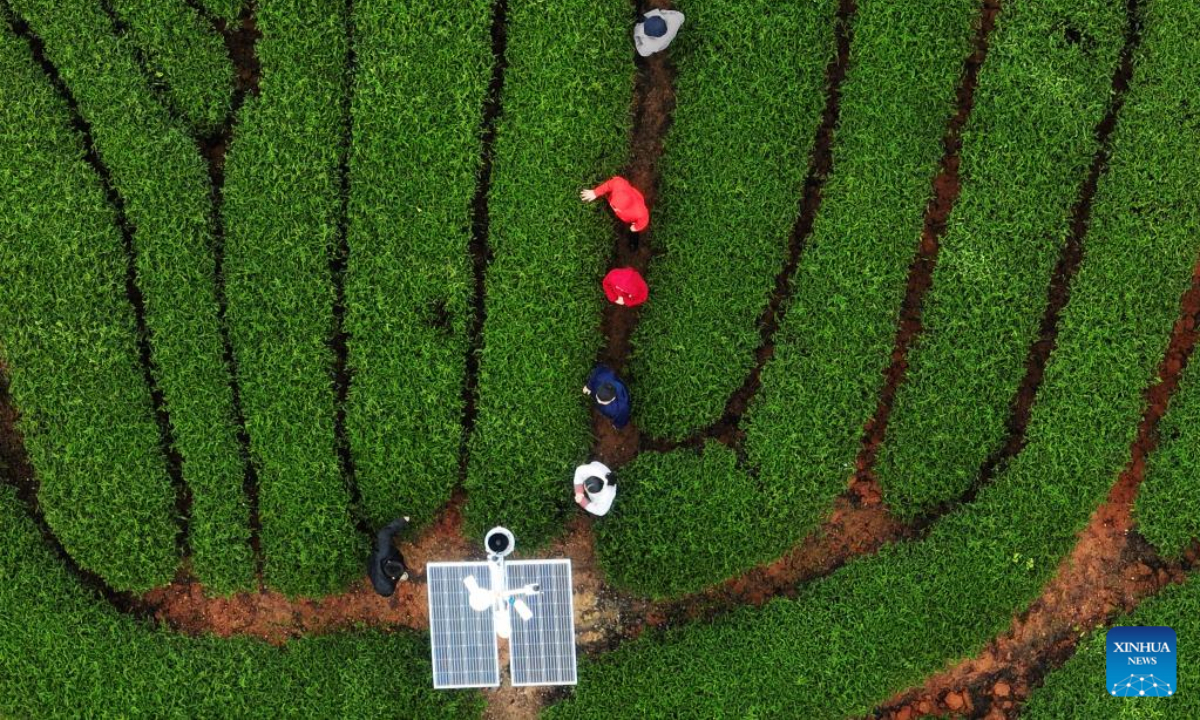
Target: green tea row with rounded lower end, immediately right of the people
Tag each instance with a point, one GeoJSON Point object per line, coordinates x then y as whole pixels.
{"type": "Point", "coordinates": [734, 167]}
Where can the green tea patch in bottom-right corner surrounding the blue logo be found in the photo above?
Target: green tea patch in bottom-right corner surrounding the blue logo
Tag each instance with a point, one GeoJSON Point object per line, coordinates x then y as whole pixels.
{"type": "Point", "coordinates": [1077, 689]}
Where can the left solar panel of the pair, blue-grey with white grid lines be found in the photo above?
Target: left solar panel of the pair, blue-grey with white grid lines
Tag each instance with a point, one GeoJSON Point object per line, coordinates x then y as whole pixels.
{"type": "Point", "coordinates": [465, 651]}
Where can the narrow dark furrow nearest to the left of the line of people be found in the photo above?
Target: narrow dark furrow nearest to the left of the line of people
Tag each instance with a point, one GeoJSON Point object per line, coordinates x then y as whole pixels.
{"type": "Point", "coordinates": [481, 229]}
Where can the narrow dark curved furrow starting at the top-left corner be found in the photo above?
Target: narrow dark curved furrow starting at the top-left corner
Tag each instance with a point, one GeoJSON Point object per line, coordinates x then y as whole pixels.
{"type": "Point", "coordinates": [146, 359]}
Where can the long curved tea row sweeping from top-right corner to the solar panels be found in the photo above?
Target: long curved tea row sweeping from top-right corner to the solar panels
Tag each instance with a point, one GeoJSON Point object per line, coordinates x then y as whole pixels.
{"type": "Point", "coordinates": [885, 622]}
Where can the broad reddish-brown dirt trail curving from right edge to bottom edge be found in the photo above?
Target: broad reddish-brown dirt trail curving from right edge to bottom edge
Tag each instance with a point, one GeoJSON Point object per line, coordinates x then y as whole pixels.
{"type": "Point", "coordinates": [1108, 574]}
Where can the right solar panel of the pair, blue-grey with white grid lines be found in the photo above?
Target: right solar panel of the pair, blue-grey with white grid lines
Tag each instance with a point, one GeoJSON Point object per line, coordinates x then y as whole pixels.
{"type": "Point", "coordinates": [543, 649]}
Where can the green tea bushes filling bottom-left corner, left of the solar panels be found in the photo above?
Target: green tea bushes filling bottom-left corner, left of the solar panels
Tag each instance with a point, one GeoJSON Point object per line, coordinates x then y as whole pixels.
{"type": "Point", "coordinates": [67, 653]}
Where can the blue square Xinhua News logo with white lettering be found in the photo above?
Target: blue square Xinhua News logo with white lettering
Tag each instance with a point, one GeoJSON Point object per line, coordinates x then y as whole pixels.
{"type": "Point", "coordinates": [1141, 663]}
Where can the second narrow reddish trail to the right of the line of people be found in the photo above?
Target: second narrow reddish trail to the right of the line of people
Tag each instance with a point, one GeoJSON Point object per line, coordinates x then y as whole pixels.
{"type": "Point", "coordinates": [947, 185]}
